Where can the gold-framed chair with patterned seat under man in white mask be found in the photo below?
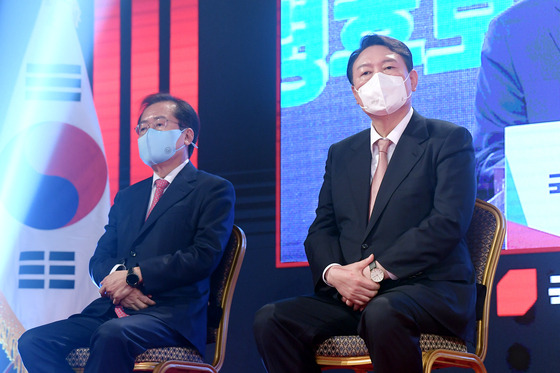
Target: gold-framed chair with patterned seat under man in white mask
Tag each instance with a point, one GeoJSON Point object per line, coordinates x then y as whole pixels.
{"type": "Point", "coordinates": [485, 238]}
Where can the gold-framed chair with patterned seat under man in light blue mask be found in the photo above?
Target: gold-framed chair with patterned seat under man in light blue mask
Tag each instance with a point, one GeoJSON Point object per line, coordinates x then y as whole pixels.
{"type": "Point", "coordinates": [182, 359]}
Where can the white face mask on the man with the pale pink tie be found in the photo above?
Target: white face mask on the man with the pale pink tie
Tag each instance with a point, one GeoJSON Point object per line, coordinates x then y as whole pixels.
{"type": "Point", "coordinates": [383, 94]}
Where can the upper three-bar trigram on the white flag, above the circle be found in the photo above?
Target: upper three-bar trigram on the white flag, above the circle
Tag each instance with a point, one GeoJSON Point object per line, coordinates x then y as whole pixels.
{"type": "Point", "coordinates": [54, 82]}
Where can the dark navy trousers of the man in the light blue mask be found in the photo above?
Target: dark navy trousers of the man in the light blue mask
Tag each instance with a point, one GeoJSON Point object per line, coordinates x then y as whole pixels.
{"type": "Point", "coordinates": [114, 343]}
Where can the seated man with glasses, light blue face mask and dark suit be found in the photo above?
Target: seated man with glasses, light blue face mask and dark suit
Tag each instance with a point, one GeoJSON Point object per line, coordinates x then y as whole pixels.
{"type": "Point", "coordinates": [165, 236]}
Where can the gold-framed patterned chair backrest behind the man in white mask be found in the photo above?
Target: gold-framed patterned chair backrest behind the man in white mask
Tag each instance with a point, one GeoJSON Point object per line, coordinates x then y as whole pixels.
{"type": "Point", "coordinates": [485, 238]}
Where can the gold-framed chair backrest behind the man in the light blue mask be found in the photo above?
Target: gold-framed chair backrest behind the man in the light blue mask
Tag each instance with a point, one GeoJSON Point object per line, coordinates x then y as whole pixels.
{"type": "Point", "coordinates": [222, 286]}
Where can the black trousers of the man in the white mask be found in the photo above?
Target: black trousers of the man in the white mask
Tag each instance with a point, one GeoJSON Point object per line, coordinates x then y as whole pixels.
{"type": "Point", "coordinates": [288, 332]}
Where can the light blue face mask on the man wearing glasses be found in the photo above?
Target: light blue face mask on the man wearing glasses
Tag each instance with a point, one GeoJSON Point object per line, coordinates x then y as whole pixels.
{"type": "Point", "coordinates": [158, 146]}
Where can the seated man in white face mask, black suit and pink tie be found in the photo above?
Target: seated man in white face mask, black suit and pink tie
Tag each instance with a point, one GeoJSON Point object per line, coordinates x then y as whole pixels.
{"type": "Point", "coordinates": [386, 250]}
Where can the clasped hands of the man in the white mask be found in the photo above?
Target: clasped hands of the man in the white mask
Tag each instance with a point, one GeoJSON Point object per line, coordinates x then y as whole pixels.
{"type": "Point", "coordinates": [354, 283]}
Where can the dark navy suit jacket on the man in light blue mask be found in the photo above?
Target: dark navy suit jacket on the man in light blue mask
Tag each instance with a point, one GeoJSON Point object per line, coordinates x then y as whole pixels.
{"type": "Point", "coordinates": [177, 247]}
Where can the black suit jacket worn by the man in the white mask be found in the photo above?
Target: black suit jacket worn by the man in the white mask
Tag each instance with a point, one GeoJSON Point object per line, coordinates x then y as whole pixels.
{"type": "Point", "coordinates": [421, 214]}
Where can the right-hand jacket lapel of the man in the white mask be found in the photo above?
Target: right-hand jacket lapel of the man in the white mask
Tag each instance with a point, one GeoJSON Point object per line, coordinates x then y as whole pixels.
{"type": "Point", "coordinates": [408, 152]}
